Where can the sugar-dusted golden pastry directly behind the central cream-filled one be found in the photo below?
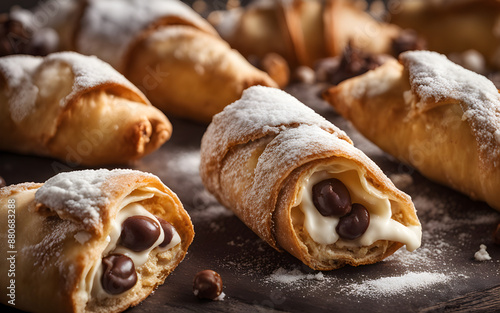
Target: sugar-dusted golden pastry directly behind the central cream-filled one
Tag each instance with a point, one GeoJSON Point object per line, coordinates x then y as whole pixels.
{"type": "Point", "coordinates": [170, 52]}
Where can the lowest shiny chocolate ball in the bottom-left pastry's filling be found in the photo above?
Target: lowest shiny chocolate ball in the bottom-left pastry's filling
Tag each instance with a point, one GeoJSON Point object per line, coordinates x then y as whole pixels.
{"type": "Point", "coordinates": [118, 274]}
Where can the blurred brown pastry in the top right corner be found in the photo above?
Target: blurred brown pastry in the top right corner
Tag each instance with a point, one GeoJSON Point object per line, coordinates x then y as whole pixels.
{"type": "Point", "coordinates": [454, 26]}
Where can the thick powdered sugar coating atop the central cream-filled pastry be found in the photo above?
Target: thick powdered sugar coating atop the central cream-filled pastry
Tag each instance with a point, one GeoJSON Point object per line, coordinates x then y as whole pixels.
{"type": "Point", "coordinates": [260, 112]}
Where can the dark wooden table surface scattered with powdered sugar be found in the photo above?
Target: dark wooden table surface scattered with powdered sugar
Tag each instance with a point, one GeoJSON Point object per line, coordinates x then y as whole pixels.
{"type": "Point", "coordinates": [441, 276]}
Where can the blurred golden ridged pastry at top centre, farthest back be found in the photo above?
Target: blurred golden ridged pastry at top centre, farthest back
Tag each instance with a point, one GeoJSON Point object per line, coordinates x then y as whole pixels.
{"type": "Point", "coordinates": [303, 31]}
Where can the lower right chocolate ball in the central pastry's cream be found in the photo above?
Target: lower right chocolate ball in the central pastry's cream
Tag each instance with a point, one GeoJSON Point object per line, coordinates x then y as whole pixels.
{"type": "Point", "coordinates": [354, 224]}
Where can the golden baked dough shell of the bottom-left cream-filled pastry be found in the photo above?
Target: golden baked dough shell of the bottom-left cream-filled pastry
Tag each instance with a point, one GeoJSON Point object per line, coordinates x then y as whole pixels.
{"type": "Point", "coordinates": [65, 252]}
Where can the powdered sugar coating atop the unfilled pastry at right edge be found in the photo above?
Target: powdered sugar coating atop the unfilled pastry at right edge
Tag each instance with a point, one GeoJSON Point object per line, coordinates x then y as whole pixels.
{"type": "Point", "coordinates": [434, 78]}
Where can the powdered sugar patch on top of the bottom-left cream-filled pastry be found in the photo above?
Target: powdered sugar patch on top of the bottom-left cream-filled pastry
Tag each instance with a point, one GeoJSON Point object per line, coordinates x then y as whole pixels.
{"type": "Point", "coordinates": [77, 195]}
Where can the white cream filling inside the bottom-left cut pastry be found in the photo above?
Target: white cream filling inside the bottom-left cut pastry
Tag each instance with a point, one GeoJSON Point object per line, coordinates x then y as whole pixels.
{"type": "Point", "coordinates": [130, 206]}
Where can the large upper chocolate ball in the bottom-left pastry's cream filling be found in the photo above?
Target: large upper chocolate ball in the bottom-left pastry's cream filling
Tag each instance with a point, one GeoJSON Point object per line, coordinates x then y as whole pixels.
{"type": "Point", "coordinates": [139, 233]}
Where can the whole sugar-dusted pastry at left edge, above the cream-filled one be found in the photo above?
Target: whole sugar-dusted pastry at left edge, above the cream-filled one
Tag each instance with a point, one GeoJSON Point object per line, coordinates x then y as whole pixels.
{"type": "Point", "coordinates": [75, 108]}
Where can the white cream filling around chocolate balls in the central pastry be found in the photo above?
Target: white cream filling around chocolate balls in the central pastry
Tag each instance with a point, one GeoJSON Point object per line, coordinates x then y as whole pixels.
{"type": "Point", "coordinates": [382, 226]}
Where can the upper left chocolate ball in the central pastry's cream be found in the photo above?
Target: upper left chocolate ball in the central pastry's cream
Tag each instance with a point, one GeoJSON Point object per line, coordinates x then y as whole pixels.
{"type": "Point", "coordinates": [331, 198]}
